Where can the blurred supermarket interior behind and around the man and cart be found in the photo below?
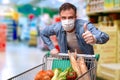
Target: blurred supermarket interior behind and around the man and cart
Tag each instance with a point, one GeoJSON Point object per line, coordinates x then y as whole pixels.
{"type": "Point", "coordinates": [22, 48]}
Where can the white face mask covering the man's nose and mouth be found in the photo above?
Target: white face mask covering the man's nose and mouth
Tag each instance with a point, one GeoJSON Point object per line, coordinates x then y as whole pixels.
{"type": "Point", "coordinates": [68, 24]}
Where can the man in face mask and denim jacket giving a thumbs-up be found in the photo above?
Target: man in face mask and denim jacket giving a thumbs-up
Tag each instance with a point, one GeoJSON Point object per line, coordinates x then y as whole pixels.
{"type": "Point", "coordinates": [73, 33]}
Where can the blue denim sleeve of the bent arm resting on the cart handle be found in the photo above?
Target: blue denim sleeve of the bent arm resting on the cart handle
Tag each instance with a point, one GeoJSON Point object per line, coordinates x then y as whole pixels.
{"type": "Point", "coordinates": [45, 35]}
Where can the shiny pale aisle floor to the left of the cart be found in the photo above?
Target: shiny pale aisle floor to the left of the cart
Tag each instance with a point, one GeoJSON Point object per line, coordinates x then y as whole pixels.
{"type": "Point", "coordinates": [18, 58]}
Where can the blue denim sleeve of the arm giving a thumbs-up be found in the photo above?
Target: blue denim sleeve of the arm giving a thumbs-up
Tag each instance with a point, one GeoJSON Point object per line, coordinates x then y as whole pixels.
{"type": "Point", "coordinates": [101, 37]}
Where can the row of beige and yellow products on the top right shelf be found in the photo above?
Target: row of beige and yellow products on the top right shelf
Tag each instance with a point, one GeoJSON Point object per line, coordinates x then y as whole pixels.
{"type": "Point", "coordinates": [102, 5]}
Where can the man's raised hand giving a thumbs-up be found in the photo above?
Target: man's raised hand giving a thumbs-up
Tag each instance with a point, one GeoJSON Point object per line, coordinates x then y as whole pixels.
{"type": "Point", "coordinates": [88, 36]}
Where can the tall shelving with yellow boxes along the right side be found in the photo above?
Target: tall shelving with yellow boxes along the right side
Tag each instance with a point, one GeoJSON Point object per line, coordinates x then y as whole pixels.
{"type": "Point", "coordinates": [110, 51]}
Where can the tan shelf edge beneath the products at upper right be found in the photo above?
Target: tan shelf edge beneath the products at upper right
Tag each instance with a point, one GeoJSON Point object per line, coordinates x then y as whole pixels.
{"type": "Point", "coordinates": [103, 11]}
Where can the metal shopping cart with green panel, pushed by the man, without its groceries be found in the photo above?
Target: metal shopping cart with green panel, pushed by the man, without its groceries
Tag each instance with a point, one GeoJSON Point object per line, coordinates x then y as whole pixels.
{"type": "Point", "coordinates": [60, 61]}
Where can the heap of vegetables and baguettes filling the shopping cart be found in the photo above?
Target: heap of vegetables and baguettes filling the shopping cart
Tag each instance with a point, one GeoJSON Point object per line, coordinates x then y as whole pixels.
{"type": "Point", "coordinates": [77, 68]}
